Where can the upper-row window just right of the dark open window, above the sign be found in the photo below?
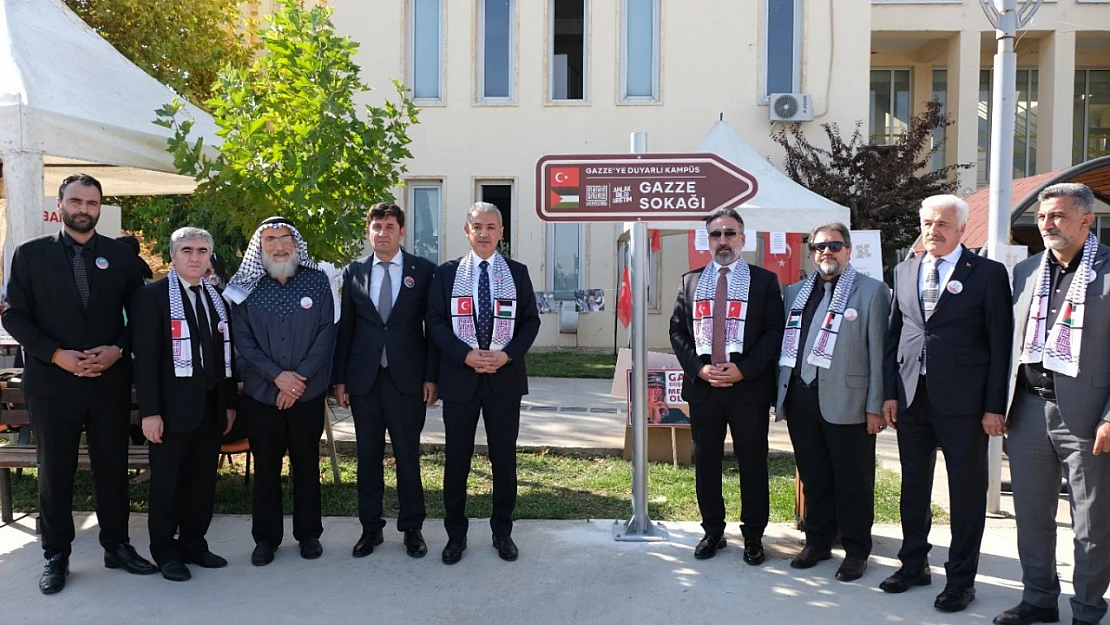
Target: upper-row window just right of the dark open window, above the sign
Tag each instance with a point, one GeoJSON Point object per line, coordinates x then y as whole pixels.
{"type": "Point", "coordinates": [640, 53]}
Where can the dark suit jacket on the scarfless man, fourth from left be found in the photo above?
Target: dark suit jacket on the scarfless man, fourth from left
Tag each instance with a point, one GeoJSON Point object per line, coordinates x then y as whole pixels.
{"type": "Point", "coordinates": [362, 334]}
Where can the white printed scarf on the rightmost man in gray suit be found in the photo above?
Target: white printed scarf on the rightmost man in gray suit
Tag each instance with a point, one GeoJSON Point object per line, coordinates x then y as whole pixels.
{"type": "Point", "coordinates": [1061, 352]}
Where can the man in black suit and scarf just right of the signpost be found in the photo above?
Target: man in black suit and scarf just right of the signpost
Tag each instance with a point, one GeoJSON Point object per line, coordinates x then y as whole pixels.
{"type": "Point", "coordinates": [728, 332]}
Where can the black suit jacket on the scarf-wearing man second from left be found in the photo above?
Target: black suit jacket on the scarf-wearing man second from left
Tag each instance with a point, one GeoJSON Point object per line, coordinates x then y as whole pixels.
{"type": "Point", "coordinates": [180, 401]}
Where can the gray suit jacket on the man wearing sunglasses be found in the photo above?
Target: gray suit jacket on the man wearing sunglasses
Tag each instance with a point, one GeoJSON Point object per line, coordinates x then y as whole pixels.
{"type": "Point", "coordinates": [852, 387]}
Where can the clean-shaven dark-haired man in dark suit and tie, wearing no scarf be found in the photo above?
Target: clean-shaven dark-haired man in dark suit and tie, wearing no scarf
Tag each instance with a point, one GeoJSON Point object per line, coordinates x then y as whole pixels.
{"type": "Point", "coordinates": [386, 372]}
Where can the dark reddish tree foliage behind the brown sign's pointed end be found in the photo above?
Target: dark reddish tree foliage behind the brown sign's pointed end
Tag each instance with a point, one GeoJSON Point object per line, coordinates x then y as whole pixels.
{"type": "Point", "coordinates": [883, 186]}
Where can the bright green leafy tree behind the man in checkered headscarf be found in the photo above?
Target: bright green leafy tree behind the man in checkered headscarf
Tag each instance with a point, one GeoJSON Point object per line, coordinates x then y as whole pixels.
{"type": "Point", "coordinates": [294, 142]}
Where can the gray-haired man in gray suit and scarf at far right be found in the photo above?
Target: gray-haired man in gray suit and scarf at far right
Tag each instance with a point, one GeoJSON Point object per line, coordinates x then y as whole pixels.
{"type": "Point", "coordinates": [1059, 409]}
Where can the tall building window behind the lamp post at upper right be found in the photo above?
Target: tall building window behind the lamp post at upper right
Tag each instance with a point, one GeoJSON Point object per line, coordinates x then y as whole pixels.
{"type": "Point", "coordinates": [1025, 125]}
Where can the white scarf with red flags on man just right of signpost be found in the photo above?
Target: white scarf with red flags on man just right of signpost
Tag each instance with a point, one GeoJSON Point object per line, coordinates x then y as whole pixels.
{"type": "Point", "coordinates": [736, 314]}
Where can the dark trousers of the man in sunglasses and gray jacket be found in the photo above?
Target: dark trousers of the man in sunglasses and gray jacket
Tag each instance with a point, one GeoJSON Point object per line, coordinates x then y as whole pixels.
{"type": "Point", "coordinates": [837, 469]}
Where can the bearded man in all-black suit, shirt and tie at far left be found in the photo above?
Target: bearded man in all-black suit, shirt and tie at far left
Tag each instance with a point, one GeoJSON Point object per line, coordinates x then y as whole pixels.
{"type": "Point", "coordinates": [67, 298]}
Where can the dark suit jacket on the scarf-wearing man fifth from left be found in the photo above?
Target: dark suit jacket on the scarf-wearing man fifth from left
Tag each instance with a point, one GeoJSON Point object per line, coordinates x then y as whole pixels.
{"type": "Point", "coordinates": [458, 381]}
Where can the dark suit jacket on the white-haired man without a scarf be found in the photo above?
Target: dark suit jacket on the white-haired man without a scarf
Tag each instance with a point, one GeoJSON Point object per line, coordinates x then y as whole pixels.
{"type": "Point", "coordinates": [967, 339]}
